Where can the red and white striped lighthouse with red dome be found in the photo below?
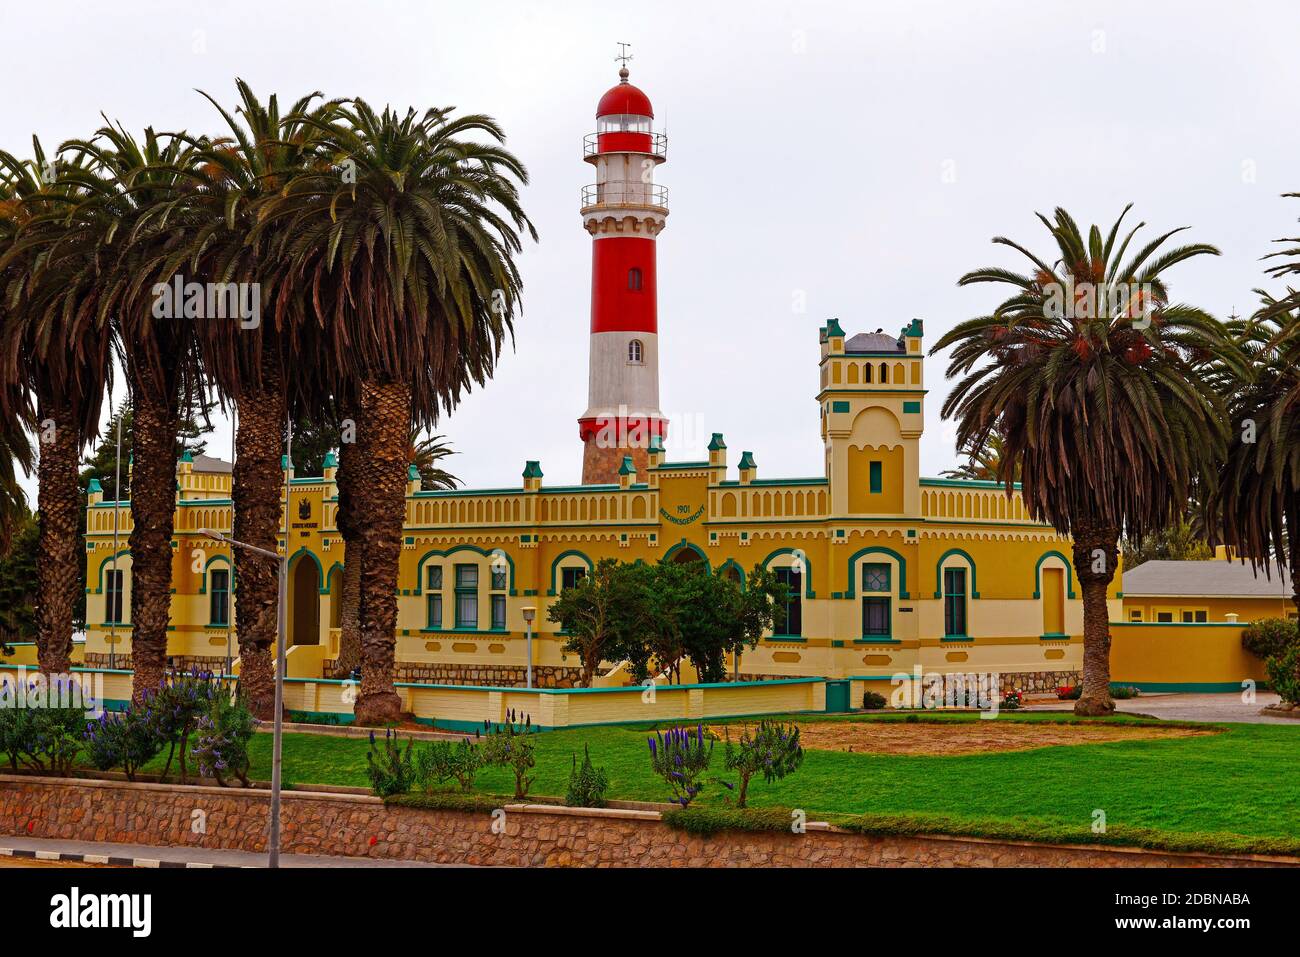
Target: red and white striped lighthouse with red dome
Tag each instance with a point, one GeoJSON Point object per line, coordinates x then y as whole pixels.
{"type": "Point", "coordinates": [625, 211]}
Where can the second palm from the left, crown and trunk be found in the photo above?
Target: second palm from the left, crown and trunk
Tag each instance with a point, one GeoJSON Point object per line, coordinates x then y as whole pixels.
{"type": "Point", "coordinates": [135, 218]}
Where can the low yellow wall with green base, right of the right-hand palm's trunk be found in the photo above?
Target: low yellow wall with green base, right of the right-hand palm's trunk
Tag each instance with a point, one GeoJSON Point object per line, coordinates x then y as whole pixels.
{"type": "Point", "coordinates": [1182, 657]}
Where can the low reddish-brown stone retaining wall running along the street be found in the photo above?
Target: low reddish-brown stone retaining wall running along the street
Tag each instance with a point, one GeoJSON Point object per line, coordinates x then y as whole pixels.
{"type": "Point", "coordinates": [532, 835]}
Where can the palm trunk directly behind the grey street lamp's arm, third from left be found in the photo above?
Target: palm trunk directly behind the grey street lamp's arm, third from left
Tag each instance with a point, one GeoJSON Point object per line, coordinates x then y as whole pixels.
{"type": "Point", "coordinates": [258, 493]}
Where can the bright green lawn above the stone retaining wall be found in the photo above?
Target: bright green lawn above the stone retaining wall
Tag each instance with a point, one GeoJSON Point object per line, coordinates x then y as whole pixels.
{"type": "Point", "coordinates": [1240, 789]}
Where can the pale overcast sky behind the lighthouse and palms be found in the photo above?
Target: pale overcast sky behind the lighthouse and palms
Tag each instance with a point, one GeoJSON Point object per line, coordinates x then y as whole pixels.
{"type": "Point", "coordinates": [856, 158]}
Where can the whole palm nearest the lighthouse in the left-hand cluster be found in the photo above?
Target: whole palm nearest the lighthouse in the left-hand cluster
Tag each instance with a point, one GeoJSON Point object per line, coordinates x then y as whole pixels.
{"type": "Point", "coordinates": [408, 252]}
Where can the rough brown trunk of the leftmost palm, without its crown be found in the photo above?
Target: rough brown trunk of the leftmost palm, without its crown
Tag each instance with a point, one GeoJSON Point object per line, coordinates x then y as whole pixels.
{"type": "Point", "coordinates": [60, 551]}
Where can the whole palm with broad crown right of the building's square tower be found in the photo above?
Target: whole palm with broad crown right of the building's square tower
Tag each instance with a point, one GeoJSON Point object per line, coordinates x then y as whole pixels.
{"type": "Point", "coordinates": [1094, 380]}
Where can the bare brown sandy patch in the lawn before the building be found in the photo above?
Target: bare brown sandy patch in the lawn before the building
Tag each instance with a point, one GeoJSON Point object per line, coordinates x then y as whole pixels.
{"type": "Point", "coordinates": [982, 737]}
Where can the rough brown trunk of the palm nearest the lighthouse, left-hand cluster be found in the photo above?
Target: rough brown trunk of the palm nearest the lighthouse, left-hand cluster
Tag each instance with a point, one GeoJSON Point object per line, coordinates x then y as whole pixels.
{"type": "Point", "coordinates": [385, 427]}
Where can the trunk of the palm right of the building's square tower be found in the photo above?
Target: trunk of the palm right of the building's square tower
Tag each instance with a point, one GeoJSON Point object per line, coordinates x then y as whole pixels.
{"type": "Point", "coordinates": [1097, 558]}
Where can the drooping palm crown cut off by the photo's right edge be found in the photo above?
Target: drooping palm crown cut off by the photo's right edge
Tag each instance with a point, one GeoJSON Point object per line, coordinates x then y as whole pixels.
{"type": "Point", "coordinates": [1256, 505]}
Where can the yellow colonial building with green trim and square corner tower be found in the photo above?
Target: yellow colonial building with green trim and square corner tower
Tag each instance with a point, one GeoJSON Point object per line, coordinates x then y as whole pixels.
{"type": "Point", "coordinates": [890, 571]}
